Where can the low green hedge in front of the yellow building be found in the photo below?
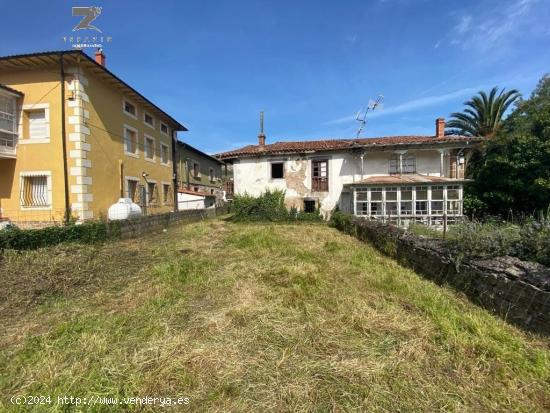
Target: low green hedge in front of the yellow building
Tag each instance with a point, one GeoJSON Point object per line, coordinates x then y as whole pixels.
{"type": "Point", "coordinates": [21, 239]}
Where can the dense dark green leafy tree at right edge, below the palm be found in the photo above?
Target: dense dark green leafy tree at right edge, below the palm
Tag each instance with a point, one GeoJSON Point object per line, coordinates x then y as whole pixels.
{"type": "Point", "coordinates": [513, 172]}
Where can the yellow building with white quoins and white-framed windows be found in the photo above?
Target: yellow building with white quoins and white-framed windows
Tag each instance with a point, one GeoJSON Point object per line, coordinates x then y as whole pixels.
{"type": "Point", "coordinates": [74, 138]}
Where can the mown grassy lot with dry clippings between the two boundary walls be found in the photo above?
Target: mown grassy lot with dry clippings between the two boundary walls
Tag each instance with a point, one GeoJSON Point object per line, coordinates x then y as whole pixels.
{"type": "Point", "coordinates": [249, 317]}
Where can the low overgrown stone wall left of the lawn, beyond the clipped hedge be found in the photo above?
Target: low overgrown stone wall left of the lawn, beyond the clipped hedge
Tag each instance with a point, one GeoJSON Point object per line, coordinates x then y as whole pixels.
{"type": "Point", "coordinates": [137, 226]}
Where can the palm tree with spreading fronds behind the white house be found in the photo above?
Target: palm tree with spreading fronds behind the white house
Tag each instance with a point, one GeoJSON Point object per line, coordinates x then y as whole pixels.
{"type": "Point", "coordinates": [483, 114]}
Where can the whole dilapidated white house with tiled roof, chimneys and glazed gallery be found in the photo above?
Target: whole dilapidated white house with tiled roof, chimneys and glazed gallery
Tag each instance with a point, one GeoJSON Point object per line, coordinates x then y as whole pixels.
{"type": "Point", "coordinates": [397, 178]}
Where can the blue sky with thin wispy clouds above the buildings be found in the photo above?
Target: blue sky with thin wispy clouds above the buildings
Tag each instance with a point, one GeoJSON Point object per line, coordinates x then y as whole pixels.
{"type": "Point", "coordinates": [310, 65]}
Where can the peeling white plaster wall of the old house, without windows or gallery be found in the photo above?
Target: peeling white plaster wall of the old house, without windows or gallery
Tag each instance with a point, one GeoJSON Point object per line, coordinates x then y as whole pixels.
{"type": "Point", "coordinates": [253, 175]}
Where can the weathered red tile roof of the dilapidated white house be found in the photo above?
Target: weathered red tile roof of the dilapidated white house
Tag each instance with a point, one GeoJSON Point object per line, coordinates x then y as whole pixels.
{"type": "Point", "coordinates": [340, 144]}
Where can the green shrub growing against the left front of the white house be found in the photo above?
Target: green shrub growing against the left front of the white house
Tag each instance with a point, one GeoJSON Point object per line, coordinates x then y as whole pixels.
{"type": "Point", "coordinates": [269, 206]}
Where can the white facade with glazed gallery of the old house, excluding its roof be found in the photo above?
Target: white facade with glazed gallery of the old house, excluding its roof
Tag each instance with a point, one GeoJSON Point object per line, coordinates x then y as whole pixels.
{"type": "Point", "coordinates": [352, 175]}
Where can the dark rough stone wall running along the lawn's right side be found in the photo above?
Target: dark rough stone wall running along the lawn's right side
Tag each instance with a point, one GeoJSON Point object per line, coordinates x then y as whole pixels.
{"type": "Point", "coordinates": [516, 290]}
